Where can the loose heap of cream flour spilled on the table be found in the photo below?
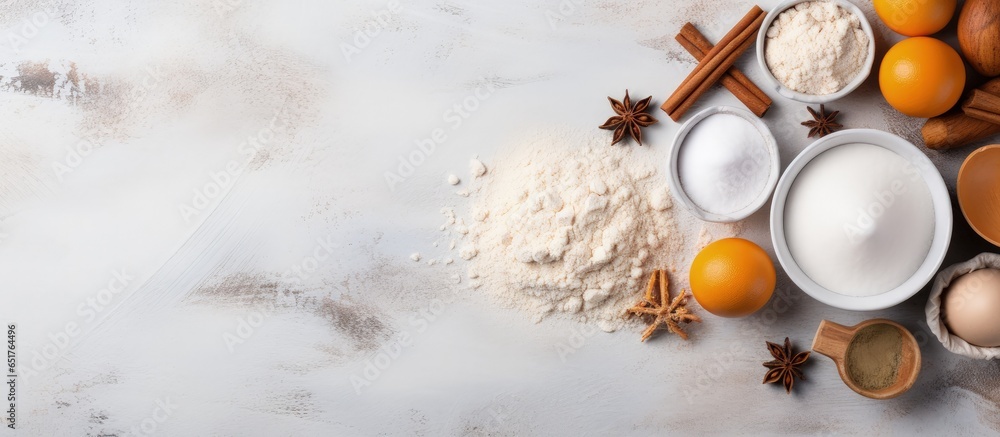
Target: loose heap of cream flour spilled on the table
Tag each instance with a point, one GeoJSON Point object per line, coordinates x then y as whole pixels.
{"type": "Point", "coordinates": [568, 227]}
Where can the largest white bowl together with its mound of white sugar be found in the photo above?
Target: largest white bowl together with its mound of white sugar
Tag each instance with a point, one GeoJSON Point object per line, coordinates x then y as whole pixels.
{"type": "Point", "coordinates": [861, 220]}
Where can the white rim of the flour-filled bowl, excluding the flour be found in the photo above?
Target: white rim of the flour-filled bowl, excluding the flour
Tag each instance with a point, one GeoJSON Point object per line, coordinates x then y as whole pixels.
{"type": "Point", "coordinates": [777, 86]}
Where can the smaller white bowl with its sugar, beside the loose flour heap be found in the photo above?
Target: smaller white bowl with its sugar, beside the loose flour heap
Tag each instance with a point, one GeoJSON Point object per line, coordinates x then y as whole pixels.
{"type": "Point", "coordinates": [723, 164]}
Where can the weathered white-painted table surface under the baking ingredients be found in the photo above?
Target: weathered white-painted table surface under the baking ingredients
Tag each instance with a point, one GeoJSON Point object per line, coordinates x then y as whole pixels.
{"type": "Point", "coordinates": [198, 238]}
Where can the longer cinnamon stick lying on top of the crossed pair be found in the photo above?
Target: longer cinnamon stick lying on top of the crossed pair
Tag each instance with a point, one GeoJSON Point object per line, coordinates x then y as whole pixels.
{"type": "Point", "coordinates": [715, 63]}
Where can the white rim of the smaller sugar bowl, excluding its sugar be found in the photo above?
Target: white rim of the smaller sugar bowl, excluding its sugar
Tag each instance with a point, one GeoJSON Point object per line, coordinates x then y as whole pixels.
{"type": "Point", "coordinates": [772, 179]}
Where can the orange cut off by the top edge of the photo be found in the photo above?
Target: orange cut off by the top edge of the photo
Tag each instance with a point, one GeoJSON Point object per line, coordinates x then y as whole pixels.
{"type": "Point", "coordinates": [915, 17]}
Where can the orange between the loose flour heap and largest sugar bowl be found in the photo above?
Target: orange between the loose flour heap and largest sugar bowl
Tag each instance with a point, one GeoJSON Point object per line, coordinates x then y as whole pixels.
{"type": "Point", "coordinates": [732, 277]}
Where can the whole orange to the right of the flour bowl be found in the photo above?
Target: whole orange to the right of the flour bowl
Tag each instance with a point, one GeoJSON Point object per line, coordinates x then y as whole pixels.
{"type": "Point", "coordinates": [922, 77]}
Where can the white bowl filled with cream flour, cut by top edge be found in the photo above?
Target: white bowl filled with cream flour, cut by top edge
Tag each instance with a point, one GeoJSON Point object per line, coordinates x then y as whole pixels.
{"type": "Point", "coordinates": [815, 51]}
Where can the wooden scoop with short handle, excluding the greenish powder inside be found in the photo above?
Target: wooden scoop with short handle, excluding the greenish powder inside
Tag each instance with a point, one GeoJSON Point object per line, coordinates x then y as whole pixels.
{"type": "Point", "coordinates": [833, 340]}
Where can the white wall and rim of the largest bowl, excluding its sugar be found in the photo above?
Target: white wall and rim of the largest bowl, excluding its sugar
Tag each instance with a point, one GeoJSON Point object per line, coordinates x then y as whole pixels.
{"type": "Point", "coordinates": [942, 220]}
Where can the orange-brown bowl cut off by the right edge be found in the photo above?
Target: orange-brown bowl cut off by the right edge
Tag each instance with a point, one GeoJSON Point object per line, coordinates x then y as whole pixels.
{"type": "Point", "coordinates": [979, 192]}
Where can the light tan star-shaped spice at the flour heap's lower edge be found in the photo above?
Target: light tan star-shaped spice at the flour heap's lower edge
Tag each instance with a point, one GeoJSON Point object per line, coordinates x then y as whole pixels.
{"type": "Point", "coordinates": [656, 305]}
